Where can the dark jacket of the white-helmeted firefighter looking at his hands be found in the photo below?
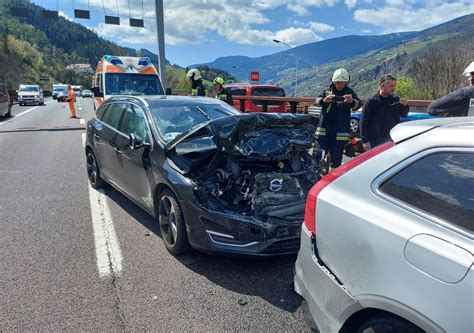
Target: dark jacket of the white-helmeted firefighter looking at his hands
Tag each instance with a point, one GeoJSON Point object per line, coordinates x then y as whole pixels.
{"type": "Point", "coordinates": [334, 122]}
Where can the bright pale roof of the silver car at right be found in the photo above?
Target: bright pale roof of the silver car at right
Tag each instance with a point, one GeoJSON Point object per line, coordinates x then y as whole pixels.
{"type": "Point", "coordinates": [410, 129]}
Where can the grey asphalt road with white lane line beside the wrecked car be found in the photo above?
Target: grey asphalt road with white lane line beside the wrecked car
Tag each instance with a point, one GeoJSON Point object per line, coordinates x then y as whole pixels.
{"type": "Point", "coordinates": [50, 266]}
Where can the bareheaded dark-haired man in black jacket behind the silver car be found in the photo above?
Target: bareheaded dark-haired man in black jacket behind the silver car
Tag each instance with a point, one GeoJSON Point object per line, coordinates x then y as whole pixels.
{"type": "Point", "coordinates": [381, 113]}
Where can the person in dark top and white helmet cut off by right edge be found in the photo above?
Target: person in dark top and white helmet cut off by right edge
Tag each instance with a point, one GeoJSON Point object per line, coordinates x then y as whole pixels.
{"type": "Point", "coordinates": [455, 104]}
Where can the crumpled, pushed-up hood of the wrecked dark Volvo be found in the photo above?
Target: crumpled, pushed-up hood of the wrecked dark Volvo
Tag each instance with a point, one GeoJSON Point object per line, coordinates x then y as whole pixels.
{"type": "Point", "coordinates": [256, 134]}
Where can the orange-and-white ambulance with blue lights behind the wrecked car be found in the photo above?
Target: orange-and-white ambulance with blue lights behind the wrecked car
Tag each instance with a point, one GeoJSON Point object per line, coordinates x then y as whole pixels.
{"type": "Point", "coordinates": [116, 75]}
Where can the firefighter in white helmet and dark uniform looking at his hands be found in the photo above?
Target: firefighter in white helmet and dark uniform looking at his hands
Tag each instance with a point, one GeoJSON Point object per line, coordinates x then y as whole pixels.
{"type": "Point", "coordinates": [336, 103]}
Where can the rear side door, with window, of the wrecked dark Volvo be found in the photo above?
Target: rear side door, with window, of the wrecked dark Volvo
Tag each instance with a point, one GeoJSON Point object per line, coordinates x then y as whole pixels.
{"type": "Point", "coordinates": [105, 135]}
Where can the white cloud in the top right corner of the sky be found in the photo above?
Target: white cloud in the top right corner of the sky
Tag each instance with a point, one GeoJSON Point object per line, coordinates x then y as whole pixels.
{"type": "Point", "coordinates": [410, 18]}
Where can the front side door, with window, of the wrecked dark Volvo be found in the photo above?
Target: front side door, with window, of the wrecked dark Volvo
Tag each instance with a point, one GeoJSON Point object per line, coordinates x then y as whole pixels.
{"type": "Point", "coordinates": [133, 167]}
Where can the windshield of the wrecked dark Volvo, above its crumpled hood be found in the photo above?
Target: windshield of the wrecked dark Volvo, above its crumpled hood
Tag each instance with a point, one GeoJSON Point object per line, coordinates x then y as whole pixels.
{"type": "Point", "coordinates": [172, 121]}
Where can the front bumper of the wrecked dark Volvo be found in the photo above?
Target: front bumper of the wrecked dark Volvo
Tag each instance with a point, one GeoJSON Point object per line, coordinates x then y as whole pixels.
{"type": "Point", "coordinates": [219, 232]}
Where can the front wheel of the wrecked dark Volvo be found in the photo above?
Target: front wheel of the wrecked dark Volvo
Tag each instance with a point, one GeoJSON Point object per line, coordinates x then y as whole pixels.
{"type": "Point", "coordinates": [172, 225]}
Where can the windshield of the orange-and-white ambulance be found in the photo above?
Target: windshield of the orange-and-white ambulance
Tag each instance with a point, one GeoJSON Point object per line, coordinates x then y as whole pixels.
{"type": "Point", "coordinates": [132, 84]}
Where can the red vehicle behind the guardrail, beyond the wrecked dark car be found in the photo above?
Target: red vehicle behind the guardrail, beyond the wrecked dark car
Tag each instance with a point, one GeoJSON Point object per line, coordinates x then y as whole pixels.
{"type": "Point", "coordinates": [245, 89]}
